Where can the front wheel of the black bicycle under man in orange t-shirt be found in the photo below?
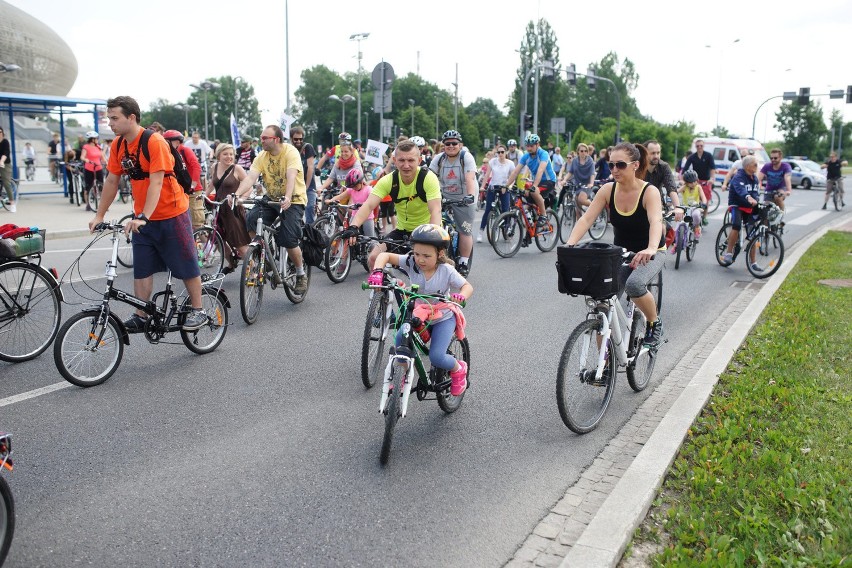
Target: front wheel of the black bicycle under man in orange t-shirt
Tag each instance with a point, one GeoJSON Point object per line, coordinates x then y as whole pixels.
{"type": "Point", "coordinates": [87, 352]}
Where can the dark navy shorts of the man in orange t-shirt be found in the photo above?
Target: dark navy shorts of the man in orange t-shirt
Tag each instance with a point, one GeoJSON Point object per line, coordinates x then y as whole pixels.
{"type": "Point", "coordinates": [165, 245]}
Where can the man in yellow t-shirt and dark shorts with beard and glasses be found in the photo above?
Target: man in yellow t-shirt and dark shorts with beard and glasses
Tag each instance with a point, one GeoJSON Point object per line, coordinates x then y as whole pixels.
{"type": "Point", "coordinates": [281, 167]}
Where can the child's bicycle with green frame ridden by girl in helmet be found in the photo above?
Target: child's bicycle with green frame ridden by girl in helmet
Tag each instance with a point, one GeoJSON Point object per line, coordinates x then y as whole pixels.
{"type": "Point", "coordinates": [408, 359]}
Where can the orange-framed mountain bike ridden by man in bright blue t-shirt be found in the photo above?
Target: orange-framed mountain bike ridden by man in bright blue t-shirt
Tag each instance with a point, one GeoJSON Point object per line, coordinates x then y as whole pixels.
{"type": "Point", "coordinates": [517, 227]}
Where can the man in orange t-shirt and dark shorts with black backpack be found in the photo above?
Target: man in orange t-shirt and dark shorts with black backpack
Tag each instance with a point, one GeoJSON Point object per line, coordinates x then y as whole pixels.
{"type": "Point", "coordinates": [162, 228]}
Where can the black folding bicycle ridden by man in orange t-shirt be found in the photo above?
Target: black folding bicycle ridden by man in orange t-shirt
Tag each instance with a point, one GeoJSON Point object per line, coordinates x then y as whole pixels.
{"type": "Point", "coordinates": [90, 344]}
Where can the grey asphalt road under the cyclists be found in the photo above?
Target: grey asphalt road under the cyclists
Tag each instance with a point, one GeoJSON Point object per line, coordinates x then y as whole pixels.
{"type": "Point", "coordinates": [265, 452]}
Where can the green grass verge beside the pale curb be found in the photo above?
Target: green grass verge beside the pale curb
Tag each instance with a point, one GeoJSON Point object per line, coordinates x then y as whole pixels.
{"type": "Point", "coordinates": [764, 475]}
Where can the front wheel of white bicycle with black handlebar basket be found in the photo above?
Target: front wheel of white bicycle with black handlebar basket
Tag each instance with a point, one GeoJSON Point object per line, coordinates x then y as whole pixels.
{"type": "Point", "coordinates": [581, 397]}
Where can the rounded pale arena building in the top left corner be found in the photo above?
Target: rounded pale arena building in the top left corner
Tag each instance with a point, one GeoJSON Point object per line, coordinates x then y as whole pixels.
{"type": "Point", "coordinates": [47, 64]}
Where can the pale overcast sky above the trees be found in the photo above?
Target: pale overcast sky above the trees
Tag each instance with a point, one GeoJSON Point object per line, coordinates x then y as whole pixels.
{"type": "Point", "coordinates": [781, 47]}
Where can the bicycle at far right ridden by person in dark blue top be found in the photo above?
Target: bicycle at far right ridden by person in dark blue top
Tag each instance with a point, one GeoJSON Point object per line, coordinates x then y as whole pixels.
{"type": "Point", "coordinates": [763, 246]}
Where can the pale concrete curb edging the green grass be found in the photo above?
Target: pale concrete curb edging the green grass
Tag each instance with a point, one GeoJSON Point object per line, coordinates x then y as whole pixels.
{"type": "Point", "coordinates": [606, 537]}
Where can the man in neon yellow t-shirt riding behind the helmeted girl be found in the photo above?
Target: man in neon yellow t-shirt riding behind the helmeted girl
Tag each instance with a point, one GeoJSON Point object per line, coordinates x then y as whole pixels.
{"type": "Point", "coordinates": [417, 198]}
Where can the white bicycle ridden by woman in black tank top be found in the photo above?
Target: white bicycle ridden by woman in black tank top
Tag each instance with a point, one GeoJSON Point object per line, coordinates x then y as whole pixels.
{"type": "Point", "coordinates": [596, 351]}
